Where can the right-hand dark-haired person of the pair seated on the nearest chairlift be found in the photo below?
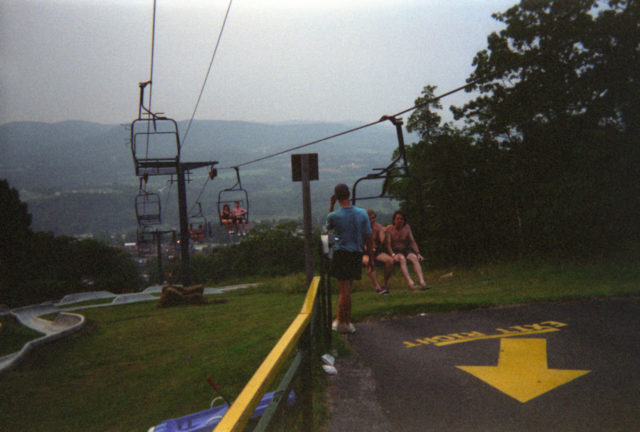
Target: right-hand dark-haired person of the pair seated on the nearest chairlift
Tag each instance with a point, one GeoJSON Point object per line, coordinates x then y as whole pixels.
{"type": "Point", "coordinates": [404, 248]}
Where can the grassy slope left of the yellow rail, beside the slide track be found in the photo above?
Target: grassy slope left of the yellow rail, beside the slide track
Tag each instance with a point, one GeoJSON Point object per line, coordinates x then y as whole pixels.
{"type": "Point", "coordinates": [136, 364]}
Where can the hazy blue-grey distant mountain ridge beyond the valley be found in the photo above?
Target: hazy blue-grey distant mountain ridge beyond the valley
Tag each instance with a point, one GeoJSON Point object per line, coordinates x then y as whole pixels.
{"type": "Point", "coordinates": [78, 177]}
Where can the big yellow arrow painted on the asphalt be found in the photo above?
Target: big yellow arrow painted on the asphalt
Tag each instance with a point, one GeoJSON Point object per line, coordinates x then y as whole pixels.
{"type": "Point", "coordinates": [522, 370]}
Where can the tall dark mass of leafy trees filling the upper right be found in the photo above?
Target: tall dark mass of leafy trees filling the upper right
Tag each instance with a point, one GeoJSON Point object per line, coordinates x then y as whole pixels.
{"type": "Point", "coordinates": [549, 156]}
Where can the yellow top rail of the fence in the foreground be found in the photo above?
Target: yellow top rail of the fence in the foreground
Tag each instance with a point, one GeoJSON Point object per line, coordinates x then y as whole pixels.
{"type": "Point", "coordinates": [240, 411]}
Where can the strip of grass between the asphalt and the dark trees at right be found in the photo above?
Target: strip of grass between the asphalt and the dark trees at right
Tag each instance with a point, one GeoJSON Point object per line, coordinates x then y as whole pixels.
{"type": "Point", "coordinates": [498, 284]}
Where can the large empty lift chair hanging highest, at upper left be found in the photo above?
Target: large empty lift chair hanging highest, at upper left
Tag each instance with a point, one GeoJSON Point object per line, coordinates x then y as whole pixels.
{"type": "Point", "coordinates": [155, 144]}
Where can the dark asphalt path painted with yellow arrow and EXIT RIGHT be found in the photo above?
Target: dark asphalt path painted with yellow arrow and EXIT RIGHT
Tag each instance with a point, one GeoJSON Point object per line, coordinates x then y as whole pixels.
{"type": "Point", "coordinates": [572, 366]}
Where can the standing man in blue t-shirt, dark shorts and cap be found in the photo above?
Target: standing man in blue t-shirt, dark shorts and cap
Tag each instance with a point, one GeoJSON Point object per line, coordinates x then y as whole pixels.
{"type": "Point", "coordinates": [353, 231]}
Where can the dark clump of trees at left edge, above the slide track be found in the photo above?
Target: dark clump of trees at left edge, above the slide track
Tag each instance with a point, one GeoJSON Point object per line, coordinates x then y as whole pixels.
{"type": "Point", "coordinates": [38, 266]}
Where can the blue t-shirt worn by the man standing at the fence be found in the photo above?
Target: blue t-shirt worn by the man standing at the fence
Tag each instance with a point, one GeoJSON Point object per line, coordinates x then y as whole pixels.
{"type": "Point", "coordinates": [351, 225]}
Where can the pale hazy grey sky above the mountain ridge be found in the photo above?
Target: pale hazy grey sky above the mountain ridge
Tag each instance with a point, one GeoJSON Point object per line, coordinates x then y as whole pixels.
{"type": "Point", "coordinates": [278, 60]}
